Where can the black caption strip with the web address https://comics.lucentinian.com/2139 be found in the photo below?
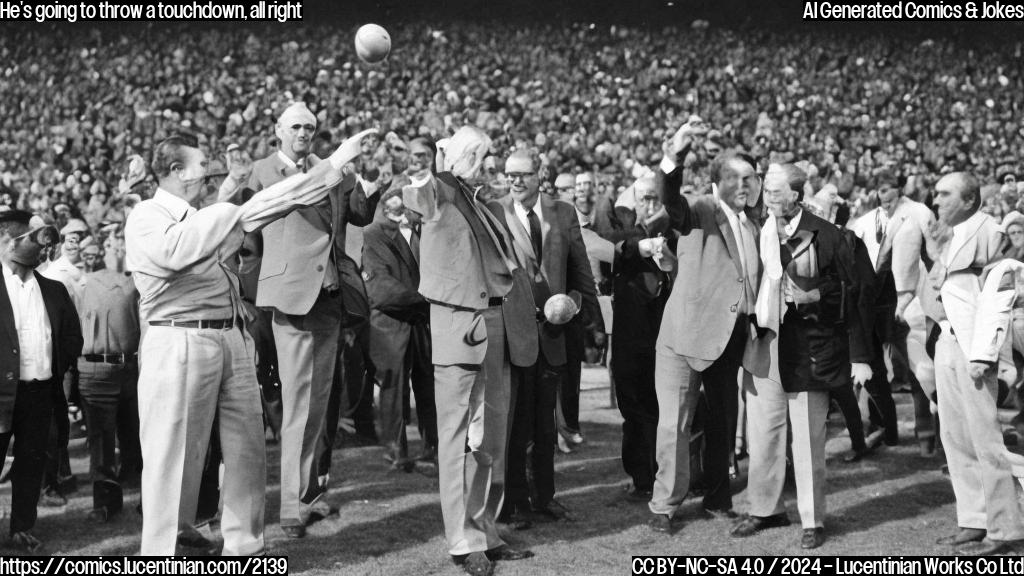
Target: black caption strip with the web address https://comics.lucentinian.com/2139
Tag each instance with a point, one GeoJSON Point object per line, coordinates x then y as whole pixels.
{"type": "Point", "coordinates": [141, 565]}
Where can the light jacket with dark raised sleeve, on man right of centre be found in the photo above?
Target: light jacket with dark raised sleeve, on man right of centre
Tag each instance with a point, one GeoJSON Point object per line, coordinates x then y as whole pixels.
{"type": "Point", "coordinates": [701, 314]}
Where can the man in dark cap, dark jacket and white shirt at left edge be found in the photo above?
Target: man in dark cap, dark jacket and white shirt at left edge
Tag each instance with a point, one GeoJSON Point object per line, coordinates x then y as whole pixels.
{"type": "Point", "coordinates": [41, 341]}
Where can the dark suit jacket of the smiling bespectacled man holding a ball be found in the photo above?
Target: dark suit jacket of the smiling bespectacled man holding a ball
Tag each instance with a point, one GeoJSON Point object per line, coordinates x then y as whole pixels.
{"type": "Point", "coordinates": [565, 266]}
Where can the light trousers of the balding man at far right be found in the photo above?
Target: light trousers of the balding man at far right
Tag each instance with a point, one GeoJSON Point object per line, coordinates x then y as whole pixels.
{"type": "Point", "coordinates": [985, 487]}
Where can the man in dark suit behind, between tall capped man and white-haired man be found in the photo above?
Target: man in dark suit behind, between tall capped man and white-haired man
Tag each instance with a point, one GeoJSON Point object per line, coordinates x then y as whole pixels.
{"type": "Point", "coordinates": [400, 336]}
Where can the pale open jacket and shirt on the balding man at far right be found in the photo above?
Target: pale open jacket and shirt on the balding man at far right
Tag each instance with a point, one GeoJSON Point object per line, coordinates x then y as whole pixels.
{"type": "Point", "coordinates": [953, 291]}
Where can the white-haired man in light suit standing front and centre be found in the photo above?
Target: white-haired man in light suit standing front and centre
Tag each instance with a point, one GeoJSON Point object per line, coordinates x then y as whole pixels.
{"type": "Point", "coordinates": [483, 319]}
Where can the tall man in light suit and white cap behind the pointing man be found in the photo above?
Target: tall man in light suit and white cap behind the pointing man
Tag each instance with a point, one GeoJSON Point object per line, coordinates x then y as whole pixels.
{"type": "Point", "coordinates": [301, 279]}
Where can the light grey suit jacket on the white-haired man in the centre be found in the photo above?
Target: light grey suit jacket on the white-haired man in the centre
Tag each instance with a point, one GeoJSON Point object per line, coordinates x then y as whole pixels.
{"type": "Point", "coordinates": [458, 259]}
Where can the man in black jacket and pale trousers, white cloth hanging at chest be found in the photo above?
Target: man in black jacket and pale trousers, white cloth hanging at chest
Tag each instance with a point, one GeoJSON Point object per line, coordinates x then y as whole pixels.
{"type": "Point", "coordinates": [808, 299]}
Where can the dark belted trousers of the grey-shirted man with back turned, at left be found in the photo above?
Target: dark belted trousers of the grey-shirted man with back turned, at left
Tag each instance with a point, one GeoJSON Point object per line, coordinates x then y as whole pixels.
{"type": "Point", "coordinates": [110, 402]}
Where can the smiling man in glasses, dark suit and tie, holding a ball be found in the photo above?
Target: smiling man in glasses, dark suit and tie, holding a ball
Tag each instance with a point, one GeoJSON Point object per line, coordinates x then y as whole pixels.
{"type": "Point", "coordinates": [548, 242]}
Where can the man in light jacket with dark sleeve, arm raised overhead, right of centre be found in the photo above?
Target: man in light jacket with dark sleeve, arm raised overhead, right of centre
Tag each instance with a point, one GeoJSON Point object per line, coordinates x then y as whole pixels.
{"type": "Point", "coordinates": [706, 333]}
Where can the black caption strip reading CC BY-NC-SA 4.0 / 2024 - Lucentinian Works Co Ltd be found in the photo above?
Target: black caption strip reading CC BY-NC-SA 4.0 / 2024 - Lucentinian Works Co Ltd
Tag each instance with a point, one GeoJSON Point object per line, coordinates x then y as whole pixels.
{"type": "Point", "coordinates": [841, 566]}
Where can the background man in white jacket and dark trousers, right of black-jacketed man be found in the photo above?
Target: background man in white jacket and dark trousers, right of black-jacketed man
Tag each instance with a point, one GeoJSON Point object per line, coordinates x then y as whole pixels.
{"type": "Point", "coordinates": [894, 236]}
